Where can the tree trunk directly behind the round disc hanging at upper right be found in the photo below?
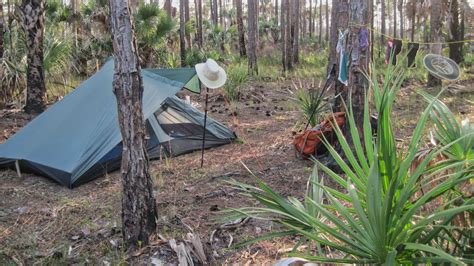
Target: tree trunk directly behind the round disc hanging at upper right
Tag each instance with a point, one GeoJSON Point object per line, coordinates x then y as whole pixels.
{"type": "Point", "coordinates": [435, 31]}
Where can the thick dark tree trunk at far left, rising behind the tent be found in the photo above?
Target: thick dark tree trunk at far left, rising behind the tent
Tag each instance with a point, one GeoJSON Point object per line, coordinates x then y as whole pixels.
{"type": "Point", "coordinates": [33, 23]}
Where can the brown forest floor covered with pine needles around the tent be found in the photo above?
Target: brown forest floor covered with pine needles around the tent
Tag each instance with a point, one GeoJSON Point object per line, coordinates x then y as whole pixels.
{"type": "Point", "coordinates": [43, 222]}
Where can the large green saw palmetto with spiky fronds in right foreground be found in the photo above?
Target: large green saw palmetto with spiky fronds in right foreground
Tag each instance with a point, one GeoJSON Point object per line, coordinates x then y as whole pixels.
{"type": "Point", "coordinates": [379, 216]}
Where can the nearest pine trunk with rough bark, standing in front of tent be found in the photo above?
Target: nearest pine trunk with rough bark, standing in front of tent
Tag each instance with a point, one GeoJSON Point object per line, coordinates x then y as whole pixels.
{"type": "Point", "coordinates": [139, 211]}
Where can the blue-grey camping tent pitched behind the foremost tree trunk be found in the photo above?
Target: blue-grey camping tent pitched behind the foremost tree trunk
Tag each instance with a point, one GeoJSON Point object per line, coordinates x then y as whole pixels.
{"type": "Point", "coordinates": [78, 138]}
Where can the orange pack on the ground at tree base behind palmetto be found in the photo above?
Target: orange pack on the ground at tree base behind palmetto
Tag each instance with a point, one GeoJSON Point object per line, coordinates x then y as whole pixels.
{"type": "Point", "coordinates": [310, 141]}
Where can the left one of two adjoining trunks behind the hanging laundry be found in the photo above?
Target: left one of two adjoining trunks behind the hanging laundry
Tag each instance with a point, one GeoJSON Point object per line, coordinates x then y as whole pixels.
{"type": "Point", "coordinates": [339, 20]}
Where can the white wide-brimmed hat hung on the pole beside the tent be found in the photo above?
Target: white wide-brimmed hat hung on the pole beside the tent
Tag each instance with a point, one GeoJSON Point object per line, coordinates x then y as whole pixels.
{"type": "Point", "coordinates": [211, 74]}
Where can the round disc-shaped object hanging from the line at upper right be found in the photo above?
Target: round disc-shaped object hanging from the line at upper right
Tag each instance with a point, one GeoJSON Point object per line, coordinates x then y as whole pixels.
{"type": "Point", "coordinates": [441, 67]}
